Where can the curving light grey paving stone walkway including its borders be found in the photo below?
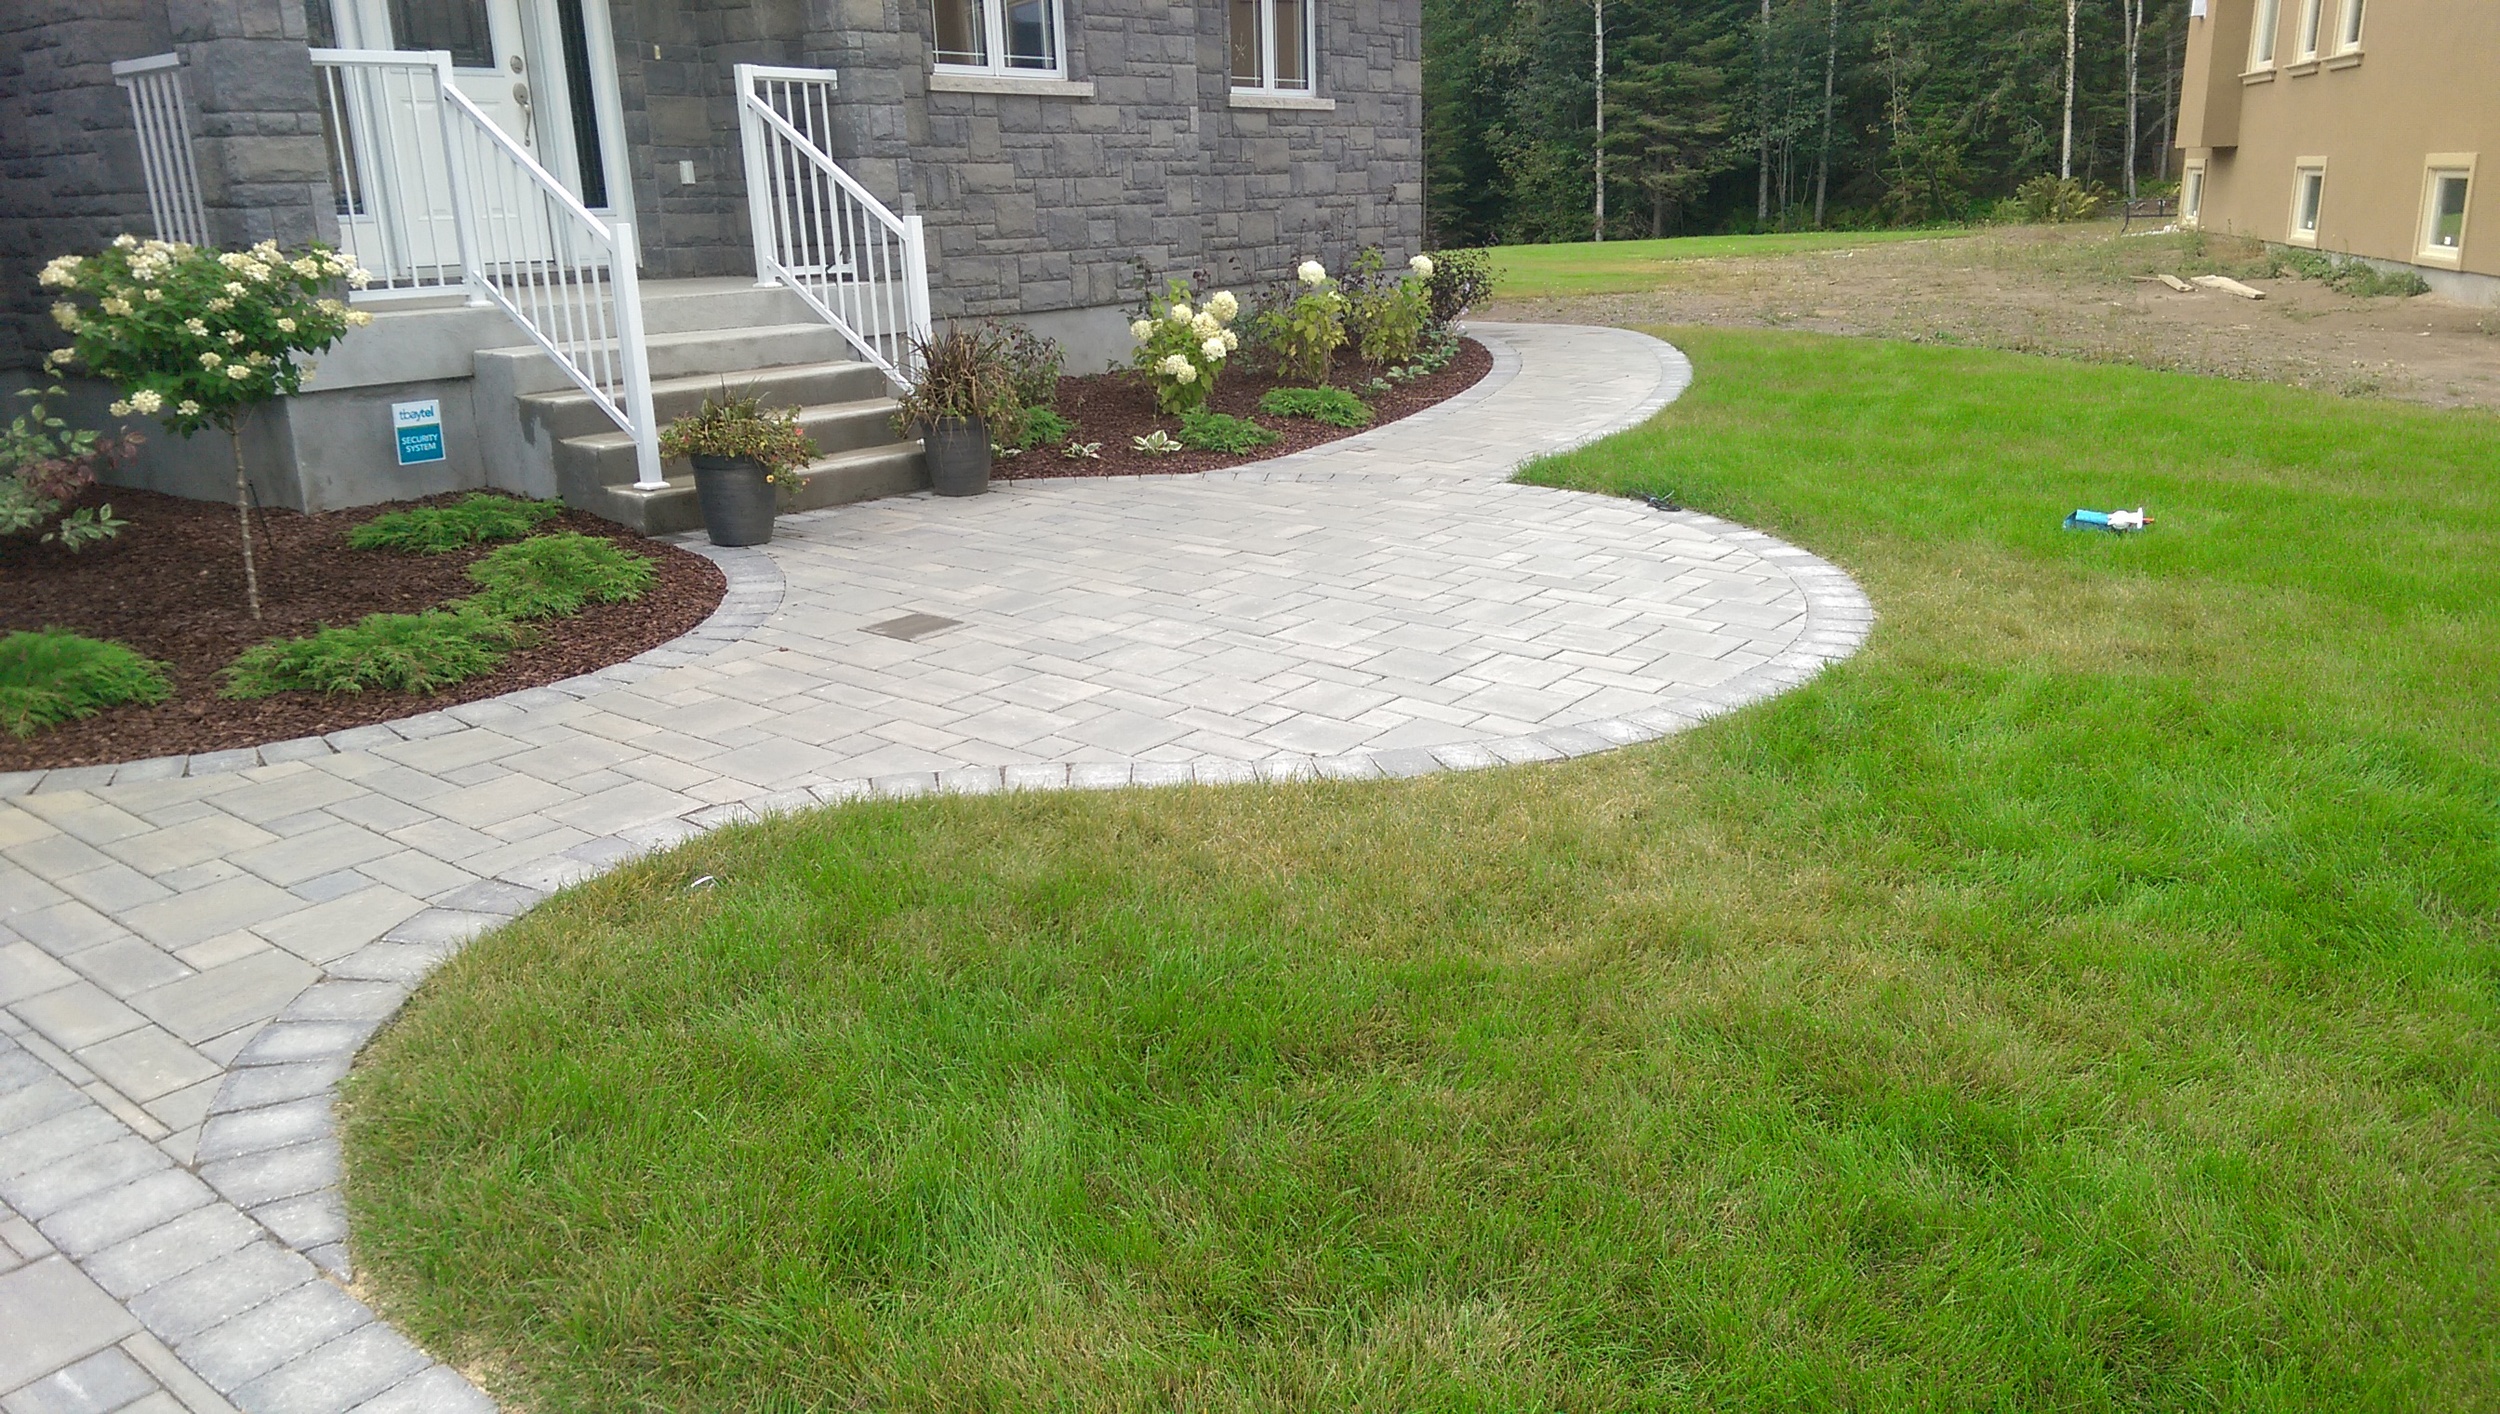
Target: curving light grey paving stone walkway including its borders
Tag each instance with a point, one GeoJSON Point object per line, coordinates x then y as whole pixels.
{"type": "Point", "coordinates": [191, 951]}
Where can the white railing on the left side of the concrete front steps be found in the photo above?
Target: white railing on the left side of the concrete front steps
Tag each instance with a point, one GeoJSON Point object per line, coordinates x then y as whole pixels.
{"type": "Point", "coordinates": [434, 199]}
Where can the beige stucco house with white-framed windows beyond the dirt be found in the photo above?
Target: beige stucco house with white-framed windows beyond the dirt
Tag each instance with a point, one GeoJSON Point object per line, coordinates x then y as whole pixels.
{"type": "Point", "coordinates": [2351, 126]}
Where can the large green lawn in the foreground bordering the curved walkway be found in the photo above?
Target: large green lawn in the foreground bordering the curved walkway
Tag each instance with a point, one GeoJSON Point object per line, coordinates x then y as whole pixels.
{"type": "Point", "coordinates": [2081, 1001]}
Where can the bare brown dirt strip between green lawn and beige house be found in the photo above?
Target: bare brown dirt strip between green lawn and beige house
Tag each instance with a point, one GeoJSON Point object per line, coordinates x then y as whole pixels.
{"type": "Point", "coordinates": [2089, 294]}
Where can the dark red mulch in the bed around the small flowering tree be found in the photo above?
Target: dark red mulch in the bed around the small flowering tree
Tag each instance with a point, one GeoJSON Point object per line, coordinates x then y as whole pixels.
{"type": "Point", "coordinates": [171, 586]}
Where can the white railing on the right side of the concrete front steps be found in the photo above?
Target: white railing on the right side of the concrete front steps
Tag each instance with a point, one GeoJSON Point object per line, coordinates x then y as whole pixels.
{"type": "Point", "coordinates": [819, 231]}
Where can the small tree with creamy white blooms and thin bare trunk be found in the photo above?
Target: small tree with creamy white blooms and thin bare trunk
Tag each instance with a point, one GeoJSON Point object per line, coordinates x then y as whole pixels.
{"type": "Point", "coordinates": [199, 339]}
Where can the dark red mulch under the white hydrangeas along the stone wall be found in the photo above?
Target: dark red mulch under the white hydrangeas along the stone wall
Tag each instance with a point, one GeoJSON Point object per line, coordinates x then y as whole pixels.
{"type": "Point", "coordinates": [1119, 406]}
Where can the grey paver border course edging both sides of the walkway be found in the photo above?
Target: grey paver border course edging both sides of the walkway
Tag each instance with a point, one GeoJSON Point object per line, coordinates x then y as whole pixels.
{"type": "Point", "coordinates": [239, 1265]}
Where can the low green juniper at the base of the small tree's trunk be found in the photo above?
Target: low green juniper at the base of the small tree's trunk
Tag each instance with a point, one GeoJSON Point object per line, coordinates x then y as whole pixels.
{"type": "Point", "coordinates": [381, 653]}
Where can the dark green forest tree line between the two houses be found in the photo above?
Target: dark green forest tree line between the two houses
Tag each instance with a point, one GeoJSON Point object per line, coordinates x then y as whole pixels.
{"type": "Point", "coordinates": [1729, 116]}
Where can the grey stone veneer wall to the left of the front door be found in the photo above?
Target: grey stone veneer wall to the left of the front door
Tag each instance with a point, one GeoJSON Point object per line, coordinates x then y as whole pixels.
{"type": "Point", "coordinates": [69, 159]}
